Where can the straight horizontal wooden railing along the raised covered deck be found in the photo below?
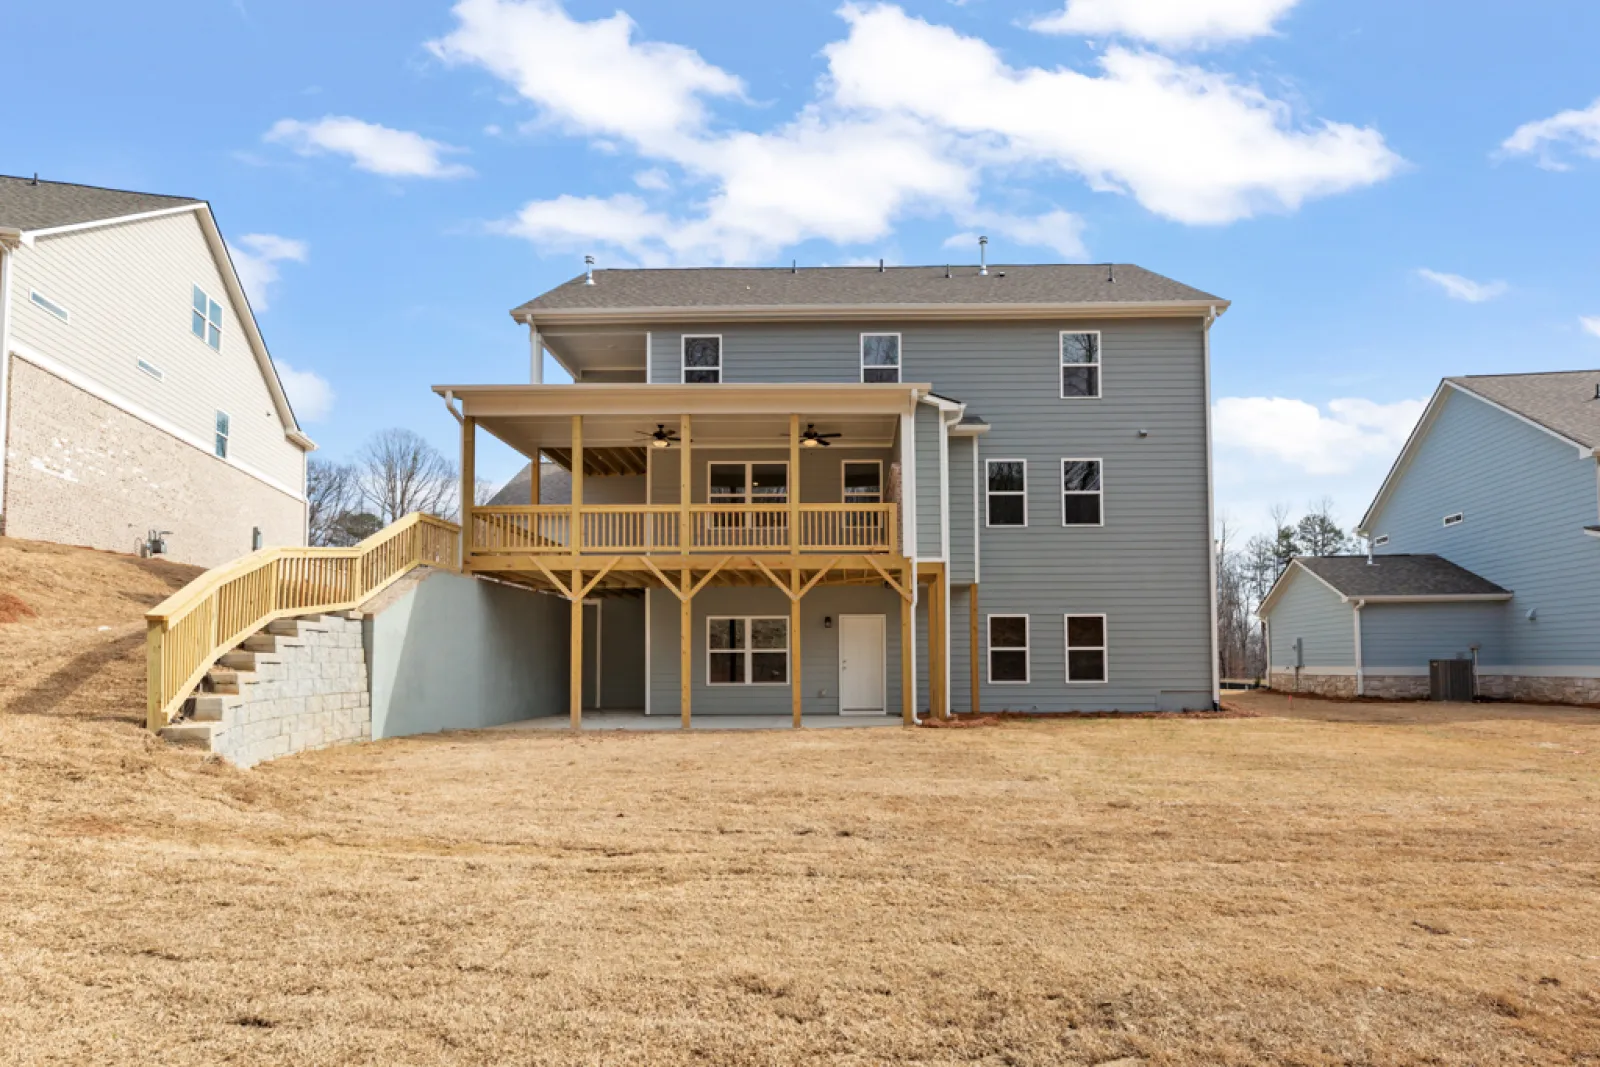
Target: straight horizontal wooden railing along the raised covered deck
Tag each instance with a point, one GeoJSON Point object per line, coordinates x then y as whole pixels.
{"type": "Point", "coordinates": [650, 529]}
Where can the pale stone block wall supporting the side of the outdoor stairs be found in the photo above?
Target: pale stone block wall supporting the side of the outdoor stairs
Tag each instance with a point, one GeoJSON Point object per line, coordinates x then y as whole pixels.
{"type": "Point", "coordinates": [310, 693]}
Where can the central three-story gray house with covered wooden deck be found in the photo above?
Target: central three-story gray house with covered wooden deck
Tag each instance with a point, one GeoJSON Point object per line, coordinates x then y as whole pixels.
{"type": "Point", "coordinates": [863, 490]}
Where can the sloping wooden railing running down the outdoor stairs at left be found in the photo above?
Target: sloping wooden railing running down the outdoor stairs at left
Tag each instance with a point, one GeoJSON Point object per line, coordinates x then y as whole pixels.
{"type": "Point", "coordinates": [194, 628]}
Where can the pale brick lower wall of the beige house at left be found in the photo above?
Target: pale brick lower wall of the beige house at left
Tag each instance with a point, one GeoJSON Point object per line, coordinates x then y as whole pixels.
{"type": "Point", "coordinates": [81, 471]}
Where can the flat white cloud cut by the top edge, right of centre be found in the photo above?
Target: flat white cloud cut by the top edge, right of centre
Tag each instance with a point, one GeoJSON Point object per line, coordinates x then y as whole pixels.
{"type": "Point", "coordinates": [1170, 23]}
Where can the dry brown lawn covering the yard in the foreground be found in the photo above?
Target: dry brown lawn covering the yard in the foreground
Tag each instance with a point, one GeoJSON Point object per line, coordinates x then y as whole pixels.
{"type": "Point", "coordinates": [1214, 892]}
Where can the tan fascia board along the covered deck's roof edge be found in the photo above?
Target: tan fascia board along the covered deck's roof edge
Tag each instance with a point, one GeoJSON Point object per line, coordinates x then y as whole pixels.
{"type": "Point", "coordinates": [655, 401]}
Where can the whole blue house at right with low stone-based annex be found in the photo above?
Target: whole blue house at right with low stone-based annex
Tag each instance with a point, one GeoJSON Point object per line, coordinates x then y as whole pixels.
{"type": "Point", "coordinates": [1486, 546]}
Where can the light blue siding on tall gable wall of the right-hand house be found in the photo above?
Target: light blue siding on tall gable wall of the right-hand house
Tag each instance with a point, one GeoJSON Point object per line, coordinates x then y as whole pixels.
{"type": "Point", "coordinates": [1527, 498]}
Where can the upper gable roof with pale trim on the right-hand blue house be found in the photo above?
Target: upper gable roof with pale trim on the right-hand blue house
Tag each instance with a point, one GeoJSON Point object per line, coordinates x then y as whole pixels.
{"type": "Point", "coordinates": [1562, 404]}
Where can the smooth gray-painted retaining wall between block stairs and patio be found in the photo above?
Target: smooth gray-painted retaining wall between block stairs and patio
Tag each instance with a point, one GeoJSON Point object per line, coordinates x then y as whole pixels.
{"type": "Point", "coordinates": [462, 653]}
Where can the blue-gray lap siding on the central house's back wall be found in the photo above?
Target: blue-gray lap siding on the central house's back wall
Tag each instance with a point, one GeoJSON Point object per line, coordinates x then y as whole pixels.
{"type": "Point", "coordinates": [1146, 569]}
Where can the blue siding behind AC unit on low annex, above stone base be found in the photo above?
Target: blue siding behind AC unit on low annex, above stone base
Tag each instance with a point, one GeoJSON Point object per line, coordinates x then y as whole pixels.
{"type": "Point", "coordinates": [1410, 636]}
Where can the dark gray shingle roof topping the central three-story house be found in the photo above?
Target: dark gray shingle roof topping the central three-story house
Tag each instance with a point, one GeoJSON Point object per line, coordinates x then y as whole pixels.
{"type": "Point", "coordinates": [780, 287]}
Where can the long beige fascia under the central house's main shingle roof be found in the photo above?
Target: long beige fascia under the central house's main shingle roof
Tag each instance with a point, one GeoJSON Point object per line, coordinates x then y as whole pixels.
{"type": "Point", "coordinates": [833, 313]}
